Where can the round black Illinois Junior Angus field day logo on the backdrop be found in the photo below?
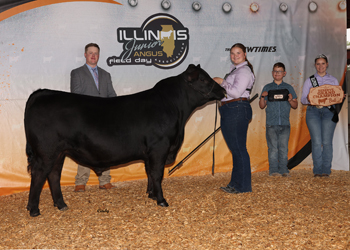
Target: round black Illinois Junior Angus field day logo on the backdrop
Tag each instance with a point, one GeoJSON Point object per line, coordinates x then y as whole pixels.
{"type": "Point", "coordinates": [161, 41]}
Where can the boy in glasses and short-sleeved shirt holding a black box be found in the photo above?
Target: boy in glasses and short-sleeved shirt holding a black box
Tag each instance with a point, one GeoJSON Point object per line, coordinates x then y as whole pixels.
{"type": "Point", "coordinates": [277, 120]}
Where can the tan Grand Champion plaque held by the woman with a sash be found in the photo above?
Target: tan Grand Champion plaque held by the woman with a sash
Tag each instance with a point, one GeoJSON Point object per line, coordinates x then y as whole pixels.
{"type": "Point", "coordinates": [326, 95]}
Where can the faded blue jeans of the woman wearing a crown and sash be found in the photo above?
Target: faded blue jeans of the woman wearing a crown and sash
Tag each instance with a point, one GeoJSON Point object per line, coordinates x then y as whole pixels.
{"type": "Point", "coordinates": [321, 128]}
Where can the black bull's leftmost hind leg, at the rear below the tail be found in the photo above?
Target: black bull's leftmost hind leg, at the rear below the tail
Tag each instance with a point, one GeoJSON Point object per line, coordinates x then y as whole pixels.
{"type": "Point", "coordinates": [39, 175]}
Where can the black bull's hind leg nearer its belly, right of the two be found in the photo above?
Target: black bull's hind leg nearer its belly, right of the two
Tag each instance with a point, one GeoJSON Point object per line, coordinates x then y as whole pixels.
{"type": "Point", "coordinates": [54, 179]}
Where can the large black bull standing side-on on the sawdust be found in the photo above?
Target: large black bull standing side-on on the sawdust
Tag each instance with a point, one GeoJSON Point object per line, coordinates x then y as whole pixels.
{"type": "Point", "coordinates": [104, 132]}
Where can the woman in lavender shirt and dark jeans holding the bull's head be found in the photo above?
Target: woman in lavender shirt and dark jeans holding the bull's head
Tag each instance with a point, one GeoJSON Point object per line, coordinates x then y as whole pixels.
{"type": "Point", "coordinates": [236, 112]}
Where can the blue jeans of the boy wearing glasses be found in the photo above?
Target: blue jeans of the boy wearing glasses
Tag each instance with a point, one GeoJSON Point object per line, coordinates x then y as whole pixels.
{"type": "Point", "coordinates": [277, 137]}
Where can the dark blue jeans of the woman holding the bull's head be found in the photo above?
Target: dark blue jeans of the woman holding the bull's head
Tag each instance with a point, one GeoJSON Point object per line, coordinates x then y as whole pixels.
{"type": "Point", "coordinates": [235, 117]}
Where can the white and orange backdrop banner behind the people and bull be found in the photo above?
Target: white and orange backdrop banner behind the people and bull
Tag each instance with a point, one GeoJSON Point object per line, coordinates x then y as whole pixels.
{"type": "Point", "coordinates": [42, 41]}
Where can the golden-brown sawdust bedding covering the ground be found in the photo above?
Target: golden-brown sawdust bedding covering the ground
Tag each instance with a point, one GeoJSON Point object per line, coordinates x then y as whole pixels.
{"type": "Point", "coordinates": [300, 212]}
